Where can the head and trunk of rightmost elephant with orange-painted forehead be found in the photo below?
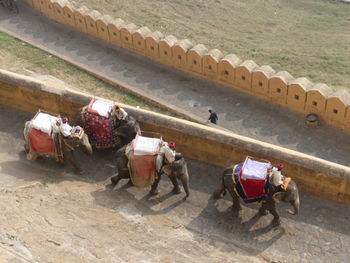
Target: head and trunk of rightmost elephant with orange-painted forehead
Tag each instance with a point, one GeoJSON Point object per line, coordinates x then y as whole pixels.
{"type": "Point", "coordinates": [290, 195]}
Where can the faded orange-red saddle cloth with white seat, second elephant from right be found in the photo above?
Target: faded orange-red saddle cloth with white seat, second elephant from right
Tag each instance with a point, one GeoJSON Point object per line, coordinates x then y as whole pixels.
{"type": "Point", "coordinates": [142, 160]}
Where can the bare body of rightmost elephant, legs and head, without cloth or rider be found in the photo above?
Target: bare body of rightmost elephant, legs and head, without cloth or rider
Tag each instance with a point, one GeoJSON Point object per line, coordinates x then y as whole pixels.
{"type": "Point", "coordinates": [290, 195]}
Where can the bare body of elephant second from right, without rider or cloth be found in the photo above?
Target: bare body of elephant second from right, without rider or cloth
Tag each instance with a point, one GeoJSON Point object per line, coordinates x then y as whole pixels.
{"type": "Point", "coordinates": [176, 171]}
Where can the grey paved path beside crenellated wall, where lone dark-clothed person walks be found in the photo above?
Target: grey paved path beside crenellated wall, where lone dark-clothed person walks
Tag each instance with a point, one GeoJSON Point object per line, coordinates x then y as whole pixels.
{"type": "Point", "coordinates": [178, 91]}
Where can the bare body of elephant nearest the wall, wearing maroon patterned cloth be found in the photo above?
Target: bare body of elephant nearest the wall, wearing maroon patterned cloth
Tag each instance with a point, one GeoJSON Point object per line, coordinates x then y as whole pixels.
{"type": "Point", "coordinates": [124, 131]}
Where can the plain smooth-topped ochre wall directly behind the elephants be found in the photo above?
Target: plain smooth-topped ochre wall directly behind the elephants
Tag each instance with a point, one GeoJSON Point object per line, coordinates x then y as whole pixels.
{"type": "Point", "coordinates": [195, 141]}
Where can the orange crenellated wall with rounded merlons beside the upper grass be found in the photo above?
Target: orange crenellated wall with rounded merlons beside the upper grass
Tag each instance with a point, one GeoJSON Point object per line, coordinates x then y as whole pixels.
{"type": "Point", "coordinates": [297, 94]}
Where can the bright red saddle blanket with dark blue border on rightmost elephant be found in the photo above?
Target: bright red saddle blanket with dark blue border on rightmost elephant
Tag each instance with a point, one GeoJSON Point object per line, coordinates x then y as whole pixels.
{"type": "Point", "coordinates": [250, 190]}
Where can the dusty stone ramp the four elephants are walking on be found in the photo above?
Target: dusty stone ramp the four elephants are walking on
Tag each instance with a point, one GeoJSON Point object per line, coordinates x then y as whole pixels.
{"type": "Point", "coordinates": [50, 215]}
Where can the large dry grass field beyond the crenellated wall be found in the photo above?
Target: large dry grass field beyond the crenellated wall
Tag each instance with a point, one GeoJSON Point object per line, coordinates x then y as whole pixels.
{"type": "Point", "coordinates": [293, 35]}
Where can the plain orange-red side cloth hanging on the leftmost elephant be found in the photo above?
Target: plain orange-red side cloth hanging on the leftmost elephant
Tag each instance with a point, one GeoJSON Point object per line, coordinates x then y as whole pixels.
{"type": "Point", "coordinates": [41, 142]}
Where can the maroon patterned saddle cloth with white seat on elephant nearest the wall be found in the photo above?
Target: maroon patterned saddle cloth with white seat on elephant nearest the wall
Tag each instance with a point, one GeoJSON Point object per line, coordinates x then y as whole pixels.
{"type": "Point", "coordinates": [98, 124]}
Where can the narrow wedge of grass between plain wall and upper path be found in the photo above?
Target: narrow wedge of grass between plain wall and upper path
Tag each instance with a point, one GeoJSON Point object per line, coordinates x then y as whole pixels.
{"type": "Point", "coordinates": [44, 63]}
